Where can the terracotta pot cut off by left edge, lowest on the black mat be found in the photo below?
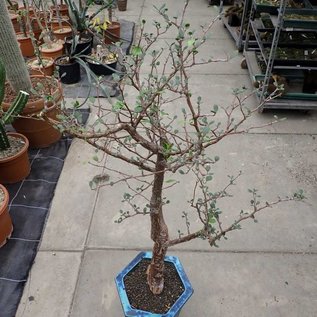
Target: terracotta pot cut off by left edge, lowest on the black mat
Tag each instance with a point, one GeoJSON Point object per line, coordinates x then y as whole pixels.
{"type": "Point", "coordinates": [6, 226]}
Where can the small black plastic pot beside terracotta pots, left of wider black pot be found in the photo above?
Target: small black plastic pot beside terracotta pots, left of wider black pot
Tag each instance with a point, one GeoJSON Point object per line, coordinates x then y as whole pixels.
{"type": "Point", "coordinates": [68, 73]}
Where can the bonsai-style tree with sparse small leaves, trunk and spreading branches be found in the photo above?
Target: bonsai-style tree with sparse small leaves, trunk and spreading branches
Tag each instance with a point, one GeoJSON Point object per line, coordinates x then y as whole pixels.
{"type": "Point", "coordinates": [159, 126]}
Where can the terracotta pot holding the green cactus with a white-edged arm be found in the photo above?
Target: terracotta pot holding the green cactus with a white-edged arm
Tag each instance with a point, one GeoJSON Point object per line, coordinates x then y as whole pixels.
{"type": "Point", "coordinates": [15, 168]}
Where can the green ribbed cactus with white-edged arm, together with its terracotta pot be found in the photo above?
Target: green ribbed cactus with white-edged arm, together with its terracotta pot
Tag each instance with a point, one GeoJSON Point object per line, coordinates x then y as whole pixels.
{"type": "Point", "coordinates": [14, 161]}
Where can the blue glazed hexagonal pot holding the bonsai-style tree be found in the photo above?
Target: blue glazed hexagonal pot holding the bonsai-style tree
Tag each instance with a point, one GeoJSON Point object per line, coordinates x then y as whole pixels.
{"type": "Point", "coordinates": [174, 310]}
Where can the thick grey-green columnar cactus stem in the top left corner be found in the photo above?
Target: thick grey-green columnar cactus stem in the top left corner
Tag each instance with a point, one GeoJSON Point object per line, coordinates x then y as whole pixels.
{"type": "Point", "coordinates": [10, 53]}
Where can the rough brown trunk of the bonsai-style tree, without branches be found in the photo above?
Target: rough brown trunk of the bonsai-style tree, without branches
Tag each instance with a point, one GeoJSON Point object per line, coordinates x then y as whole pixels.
{"type": "Point", "coordinates": [159, 231]}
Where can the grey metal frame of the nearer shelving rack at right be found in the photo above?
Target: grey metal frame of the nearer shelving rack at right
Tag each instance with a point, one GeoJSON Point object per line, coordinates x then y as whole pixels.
{"type": "Point", "coordinates": [254, 70]}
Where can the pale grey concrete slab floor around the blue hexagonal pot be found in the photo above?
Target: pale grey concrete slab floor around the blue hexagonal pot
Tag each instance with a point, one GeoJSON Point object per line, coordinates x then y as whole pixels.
{"type": "Point", "coordinates": [267, 269]}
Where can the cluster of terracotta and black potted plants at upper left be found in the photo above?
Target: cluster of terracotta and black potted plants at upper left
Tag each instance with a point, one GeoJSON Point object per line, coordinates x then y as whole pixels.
{"type": "Point", "coordinates": [59, 34]}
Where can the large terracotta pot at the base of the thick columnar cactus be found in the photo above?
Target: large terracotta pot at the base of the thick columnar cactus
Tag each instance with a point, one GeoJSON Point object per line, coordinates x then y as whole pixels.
{"type": "Point", "coordinates": [39, 131]}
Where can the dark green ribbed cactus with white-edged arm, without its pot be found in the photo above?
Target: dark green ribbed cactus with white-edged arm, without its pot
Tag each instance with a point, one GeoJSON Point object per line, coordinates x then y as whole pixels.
{"type": "Point", "coordinates": [16, 108]}
